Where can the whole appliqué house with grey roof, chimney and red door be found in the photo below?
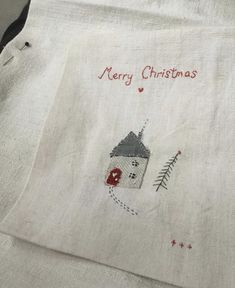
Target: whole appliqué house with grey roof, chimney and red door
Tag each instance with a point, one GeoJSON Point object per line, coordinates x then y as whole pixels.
{"type": "Point", "coordinates": [128, 163]}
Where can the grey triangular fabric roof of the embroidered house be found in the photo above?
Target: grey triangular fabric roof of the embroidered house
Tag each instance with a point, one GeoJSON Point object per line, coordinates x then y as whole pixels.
{"type": "Point", "coordinates": [131, 146]}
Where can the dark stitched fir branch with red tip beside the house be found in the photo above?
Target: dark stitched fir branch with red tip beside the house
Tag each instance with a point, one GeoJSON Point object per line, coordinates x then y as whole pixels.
{"type": "Point", "coordinates": [164, 174]}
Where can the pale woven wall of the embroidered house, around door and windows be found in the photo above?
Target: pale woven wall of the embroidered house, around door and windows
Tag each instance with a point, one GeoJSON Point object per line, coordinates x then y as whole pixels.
{"type": "Point", "coordinates": [126, 166]}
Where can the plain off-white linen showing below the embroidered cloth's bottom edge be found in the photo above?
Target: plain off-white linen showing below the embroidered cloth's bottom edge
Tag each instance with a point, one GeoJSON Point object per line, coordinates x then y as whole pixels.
{"type": "Point", "coordinates": [29, 266]}
